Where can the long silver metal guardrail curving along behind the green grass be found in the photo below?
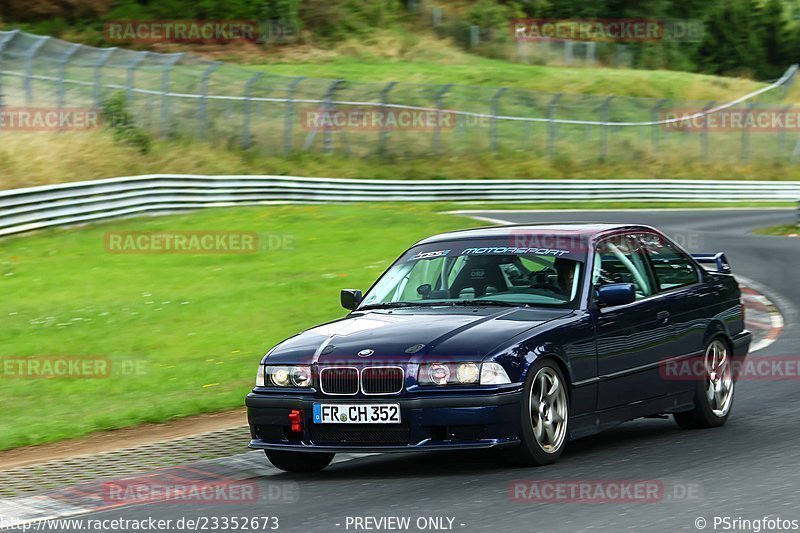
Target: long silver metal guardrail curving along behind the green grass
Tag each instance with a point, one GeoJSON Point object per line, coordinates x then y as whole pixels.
{"type": "Point", "coordinates": [65, 204]}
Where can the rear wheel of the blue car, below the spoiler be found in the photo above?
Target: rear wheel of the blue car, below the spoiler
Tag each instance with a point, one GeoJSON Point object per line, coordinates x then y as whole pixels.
{"type": "Point", "coordinates": [713, 397]}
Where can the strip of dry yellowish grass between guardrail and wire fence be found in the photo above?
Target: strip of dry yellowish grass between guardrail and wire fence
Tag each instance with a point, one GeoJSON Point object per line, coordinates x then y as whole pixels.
{"type": "Point", "coordinates": [29, 159]}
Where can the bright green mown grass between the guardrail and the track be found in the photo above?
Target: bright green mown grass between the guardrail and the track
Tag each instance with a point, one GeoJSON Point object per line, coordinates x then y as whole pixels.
{"type": "Point", "coordinates": [196, 324]}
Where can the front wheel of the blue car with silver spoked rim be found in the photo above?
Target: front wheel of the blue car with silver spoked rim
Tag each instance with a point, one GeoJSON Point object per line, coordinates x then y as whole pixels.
{"type": "Point", "coordinates": [544, 417]}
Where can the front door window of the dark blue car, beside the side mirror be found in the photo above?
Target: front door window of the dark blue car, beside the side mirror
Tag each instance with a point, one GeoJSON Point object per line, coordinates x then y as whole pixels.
{"type": "Point", "coordinates": [620, 259]}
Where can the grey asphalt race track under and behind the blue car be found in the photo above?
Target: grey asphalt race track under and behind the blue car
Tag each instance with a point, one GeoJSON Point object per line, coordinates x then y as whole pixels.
{"type": "Point", "coordinates": [748, 469]}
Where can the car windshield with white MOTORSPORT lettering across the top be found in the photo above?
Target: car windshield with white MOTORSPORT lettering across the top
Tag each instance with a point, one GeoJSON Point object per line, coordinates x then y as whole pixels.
{"type": "Point", "coordinates": [484, 272]}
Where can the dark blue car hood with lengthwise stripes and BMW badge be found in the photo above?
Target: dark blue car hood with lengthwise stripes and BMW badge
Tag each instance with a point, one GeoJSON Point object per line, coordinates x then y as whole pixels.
{"type": "Point", "coordinates": [402, 335]}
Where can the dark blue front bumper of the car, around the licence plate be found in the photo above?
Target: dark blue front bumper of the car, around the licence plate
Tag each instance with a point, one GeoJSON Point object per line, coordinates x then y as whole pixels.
{"type": "Point", "coordinates": [428, 423]}
